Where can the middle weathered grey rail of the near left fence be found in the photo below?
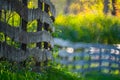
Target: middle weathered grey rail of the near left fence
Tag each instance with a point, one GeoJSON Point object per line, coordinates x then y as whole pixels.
{"type": "Point", "coordinates": [25, 37]}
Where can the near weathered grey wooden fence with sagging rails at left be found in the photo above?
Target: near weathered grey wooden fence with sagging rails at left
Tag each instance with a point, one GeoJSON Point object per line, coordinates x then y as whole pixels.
{"type": "Point", "coordinates": [44, 14]}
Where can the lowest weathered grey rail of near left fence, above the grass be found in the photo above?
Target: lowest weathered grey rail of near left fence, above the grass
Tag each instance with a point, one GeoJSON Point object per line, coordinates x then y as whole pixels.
{"type": "Point", "coordinates": [19, 55]}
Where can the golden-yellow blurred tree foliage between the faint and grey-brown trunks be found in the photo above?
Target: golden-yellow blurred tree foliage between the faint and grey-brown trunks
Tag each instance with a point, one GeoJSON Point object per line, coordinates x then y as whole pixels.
{"type": "Point", "coordinates": [92, 6]}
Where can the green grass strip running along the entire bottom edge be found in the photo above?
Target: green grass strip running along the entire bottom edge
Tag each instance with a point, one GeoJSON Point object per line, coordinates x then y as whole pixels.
{"type": "Point", "coordinates": [11, 72]}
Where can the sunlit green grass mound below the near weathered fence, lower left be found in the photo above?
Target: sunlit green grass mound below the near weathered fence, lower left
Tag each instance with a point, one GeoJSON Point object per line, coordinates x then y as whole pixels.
{"type": "Point", "coordinates": [10, 72]}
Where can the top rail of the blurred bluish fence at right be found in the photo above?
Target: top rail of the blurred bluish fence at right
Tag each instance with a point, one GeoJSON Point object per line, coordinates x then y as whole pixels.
{"type": "Point", "coordinates": [64, 43]}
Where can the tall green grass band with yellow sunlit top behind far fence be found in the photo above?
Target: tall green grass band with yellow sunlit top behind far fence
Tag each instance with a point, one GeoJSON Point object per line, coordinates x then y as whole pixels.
{"type": "Point", "coordinates": [96, 28]}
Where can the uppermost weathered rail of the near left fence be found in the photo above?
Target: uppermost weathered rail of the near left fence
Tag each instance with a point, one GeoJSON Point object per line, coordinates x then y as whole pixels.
{"type": "Point", "coordinates": [25, 13]}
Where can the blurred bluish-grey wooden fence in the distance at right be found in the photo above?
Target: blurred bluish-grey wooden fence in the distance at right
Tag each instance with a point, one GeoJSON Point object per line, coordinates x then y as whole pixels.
{"type": "Point", "coordinates": [83, 57]}
